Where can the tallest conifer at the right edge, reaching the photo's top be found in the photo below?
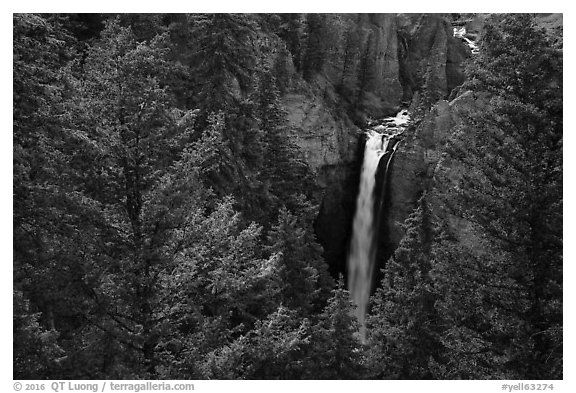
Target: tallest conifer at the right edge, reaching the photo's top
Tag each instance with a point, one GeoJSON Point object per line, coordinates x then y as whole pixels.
{"type": "Point", "coordinates": [508, 149]}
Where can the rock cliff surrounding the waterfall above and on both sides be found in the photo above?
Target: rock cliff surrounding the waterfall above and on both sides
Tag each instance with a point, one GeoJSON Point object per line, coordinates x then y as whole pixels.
{"type": "Point", "coordinates": [377, 66]}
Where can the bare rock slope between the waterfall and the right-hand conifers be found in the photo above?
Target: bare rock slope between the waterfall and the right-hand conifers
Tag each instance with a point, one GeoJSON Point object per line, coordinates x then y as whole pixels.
{"type": "Point", "coordinates": [420, 165]}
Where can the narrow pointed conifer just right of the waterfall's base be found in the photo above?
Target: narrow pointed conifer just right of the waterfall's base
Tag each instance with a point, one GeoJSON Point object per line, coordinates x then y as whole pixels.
{"type": "Point", "coordinates": [404, 325]}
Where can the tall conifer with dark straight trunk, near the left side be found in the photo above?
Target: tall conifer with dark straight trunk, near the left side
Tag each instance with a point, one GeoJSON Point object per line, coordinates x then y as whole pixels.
{"type": "Point", "coordinates": [126, 119]}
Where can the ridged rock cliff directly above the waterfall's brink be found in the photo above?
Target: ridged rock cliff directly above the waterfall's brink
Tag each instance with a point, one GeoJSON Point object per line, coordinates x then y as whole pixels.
{"type": "Point", "coordinates": [406, 53]}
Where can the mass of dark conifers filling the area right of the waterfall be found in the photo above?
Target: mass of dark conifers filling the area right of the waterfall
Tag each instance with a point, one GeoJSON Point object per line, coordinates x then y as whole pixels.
{"type": "Point", "coordinates": [474, 290]}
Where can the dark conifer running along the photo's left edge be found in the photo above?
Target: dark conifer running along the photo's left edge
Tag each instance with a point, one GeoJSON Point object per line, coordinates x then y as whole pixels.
{"type": "Point", "coordinates": [47, 231]}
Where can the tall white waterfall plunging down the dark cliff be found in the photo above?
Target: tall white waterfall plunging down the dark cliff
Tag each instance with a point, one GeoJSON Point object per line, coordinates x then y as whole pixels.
{"type": "Point", "coordinates": [362, 252]}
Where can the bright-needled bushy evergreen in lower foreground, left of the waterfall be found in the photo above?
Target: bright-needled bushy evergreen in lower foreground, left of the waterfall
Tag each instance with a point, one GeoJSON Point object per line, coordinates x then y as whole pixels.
{"type": "Point", "coordinates": [220, 287]}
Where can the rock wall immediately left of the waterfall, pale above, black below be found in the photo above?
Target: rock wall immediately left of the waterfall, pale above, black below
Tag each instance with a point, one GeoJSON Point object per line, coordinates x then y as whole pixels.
{"type": "Point", "coordinates": [329, 144]}
